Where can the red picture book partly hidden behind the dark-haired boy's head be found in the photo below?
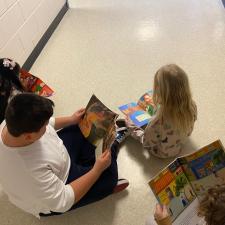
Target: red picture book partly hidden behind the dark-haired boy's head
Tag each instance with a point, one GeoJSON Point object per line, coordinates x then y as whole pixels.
{"type": "Point", "coordinates": [34, 84]}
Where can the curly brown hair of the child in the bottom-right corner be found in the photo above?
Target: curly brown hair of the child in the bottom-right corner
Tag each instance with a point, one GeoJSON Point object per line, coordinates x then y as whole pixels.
{"type": "Point", "coordinates": [212, 207]}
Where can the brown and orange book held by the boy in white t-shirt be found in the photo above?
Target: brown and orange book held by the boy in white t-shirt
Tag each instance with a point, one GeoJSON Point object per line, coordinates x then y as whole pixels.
{"type": "Point", "coordinates": [98, 123]}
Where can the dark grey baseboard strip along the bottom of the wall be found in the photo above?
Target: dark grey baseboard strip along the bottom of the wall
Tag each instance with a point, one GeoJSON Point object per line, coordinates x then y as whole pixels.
{"type": "Point", "coordinates": [44, 39]}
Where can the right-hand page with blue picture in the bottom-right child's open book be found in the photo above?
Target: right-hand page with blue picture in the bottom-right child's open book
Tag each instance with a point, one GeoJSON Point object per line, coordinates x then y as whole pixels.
{"type": "Point", "coordinates": [205, 168]}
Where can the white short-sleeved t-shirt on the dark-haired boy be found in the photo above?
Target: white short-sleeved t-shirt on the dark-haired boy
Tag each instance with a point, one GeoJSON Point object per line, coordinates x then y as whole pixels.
{"type": "Point", "coordinates": [34, 176]}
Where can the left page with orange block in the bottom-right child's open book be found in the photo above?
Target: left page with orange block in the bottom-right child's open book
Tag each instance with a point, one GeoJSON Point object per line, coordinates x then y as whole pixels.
{"type": "Point", "coordinates": [172, 188]}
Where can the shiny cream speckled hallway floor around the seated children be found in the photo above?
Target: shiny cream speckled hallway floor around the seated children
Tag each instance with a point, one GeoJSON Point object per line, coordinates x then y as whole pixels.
{"type": "Point", "coordinates": [112, 48]}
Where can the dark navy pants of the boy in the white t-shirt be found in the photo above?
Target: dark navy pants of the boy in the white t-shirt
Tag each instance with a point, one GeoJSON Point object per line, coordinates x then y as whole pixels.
{"type": "Point", "coordinates": [82, 156]}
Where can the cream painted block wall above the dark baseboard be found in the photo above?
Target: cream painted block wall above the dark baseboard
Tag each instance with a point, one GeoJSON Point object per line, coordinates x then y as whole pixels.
{"type": "Point", "coordinates": [22, 24]}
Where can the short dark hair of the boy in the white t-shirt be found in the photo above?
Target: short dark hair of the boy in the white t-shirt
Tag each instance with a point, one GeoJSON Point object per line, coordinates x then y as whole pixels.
{"type": "Point", "coordinates": [31, 117]}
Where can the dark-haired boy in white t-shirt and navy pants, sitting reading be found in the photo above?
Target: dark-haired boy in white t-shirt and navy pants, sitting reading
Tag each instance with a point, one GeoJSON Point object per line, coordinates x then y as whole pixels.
{"type": "Point", "coordinates": [48, 173]}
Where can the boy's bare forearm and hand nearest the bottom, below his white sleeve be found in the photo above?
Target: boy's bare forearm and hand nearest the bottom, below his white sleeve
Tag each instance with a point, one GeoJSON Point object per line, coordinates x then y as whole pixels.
{"type": "Point", "coordinates": [82, 185]}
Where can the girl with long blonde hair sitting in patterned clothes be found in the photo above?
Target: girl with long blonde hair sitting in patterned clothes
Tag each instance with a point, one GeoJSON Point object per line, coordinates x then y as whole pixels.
{"type": "Point", "coordinates": [175, 115]}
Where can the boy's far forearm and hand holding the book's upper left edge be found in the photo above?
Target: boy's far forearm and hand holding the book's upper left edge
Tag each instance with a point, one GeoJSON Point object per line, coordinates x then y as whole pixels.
{"type": "Point", "coordinates": [61, 122]}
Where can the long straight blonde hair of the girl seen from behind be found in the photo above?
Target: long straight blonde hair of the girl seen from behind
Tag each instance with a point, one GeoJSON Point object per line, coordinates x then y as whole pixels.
{"type": "Point", "coordinates": [172, 93]}
